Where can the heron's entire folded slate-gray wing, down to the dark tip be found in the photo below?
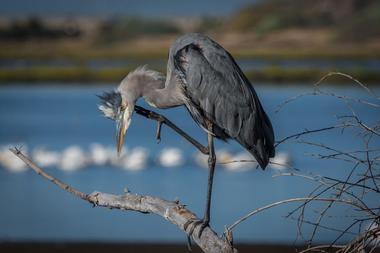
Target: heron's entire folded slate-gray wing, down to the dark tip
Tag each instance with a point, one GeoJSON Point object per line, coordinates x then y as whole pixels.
{"type": "Point", "coordinates": [218, 89]}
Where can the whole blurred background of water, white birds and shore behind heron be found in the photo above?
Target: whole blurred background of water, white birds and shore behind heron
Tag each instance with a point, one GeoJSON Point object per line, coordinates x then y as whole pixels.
{"type": "Point", "coordinates": [56, 56]}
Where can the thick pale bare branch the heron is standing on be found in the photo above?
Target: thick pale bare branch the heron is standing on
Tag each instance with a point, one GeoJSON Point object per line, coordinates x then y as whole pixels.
{"type": "Point", "coordinates": [171, 211]}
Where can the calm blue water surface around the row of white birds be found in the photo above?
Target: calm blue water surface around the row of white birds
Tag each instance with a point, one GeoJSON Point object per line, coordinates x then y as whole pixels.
{"type": "Point", "coordinates": [56, 117]}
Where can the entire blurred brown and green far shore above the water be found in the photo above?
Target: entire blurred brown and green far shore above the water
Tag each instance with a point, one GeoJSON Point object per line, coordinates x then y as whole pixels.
{"type": "Point", "coordinates": [274, 29]}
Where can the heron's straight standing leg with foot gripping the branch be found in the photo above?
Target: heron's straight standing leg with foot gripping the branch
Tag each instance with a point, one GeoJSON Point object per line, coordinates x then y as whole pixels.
{"type": "Point", "coordinates": [211, 166]}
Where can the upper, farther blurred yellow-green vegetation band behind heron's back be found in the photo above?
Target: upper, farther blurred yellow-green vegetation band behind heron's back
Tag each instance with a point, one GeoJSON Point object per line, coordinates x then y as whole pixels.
{"type": "Point", "coordinates": [81, 53]}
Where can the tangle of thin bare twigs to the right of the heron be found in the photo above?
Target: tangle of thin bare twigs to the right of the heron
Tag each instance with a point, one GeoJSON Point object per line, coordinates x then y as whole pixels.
{"type": "Point", "coordinates": [357, 186]}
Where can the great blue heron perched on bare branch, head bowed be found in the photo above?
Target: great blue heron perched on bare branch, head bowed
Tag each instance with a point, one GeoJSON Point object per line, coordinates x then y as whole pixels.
{"type": "Point", "coordinates": [204, 77]}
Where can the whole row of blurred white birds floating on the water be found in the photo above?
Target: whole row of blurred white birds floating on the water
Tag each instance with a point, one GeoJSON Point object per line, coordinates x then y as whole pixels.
{"type": "Point", "coordinates": [74, 158]}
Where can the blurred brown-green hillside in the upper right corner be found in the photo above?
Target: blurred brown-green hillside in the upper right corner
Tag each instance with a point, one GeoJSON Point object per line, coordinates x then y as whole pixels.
{"type": "Point", "coordinates": [349, 19]}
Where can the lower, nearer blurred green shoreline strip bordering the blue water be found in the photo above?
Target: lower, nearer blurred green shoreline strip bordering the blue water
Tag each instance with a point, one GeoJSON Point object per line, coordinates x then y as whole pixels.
{"type": "Point", "coordinates": [36, 75]}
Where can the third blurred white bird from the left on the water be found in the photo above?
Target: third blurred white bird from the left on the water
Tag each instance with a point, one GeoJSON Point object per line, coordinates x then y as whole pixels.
{"type": "Point", "coordinates": [73, 158]}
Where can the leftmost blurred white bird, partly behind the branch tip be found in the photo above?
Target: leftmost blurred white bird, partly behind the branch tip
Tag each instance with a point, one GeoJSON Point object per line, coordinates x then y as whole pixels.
{"type": "Point", "coordinates": [11, 162]}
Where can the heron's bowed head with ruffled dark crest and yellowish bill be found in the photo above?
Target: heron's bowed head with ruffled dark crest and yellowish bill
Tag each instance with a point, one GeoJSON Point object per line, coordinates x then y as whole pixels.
{"type": "Point", "coordinates": [117, 107]}
